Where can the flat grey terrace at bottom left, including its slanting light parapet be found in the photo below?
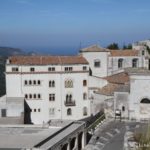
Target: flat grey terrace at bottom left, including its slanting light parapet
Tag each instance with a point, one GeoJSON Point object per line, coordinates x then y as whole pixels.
{"type": "Point", "coordinates": [29, 136]}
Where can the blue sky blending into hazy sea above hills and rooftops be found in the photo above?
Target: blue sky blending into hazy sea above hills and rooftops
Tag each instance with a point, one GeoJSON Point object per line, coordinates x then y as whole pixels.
{"type": "Point", "coordinates": [59, 26]}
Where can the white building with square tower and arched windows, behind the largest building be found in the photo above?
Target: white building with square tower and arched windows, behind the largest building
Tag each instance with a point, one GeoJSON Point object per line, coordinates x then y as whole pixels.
{"type": "Point", "coordinates": [104, 62]}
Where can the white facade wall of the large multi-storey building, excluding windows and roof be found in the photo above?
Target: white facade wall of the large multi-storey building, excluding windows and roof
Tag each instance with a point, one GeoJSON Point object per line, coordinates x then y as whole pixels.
{"type": "Point", "coordinates": [17, 88]}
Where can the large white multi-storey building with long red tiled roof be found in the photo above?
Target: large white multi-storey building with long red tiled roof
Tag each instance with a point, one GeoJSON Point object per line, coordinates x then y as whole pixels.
{"type": "Point", "coordinates": [54, 87]}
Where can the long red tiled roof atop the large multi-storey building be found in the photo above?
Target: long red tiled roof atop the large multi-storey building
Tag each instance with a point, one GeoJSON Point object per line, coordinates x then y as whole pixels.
{"type": "Point", "coordinates": [45, 60]}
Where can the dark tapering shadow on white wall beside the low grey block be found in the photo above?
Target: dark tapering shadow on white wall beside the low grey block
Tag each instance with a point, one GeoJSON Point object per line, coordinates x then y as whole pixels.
{"type": "Point", "coordinates": [27, 114]}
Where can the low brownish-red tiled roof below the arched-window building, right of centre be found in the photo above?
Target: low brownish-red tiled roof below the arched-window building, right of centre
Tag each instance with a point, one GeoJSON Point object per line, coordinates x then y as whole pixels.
{"type": "Point", "coordinates": [120, 78]}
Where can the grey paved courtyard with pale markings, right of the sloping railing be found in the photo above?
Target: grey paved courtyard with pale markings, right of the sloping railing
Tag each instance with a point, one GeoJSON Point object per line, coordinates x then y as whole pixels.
{"type": "Point", "coordinates": [110, 135]}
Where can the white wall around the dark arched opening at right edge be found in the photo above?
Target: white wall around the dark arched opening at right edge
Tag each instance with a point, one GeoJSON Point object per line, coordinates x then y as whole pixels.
{"type": "Point", "coordinates": [139, 89]}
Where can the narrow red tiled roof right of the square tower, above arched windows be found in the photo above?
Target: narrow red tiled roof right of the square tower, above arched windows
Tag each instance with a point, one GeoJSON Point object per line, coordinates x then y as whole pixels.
{"type": "Point", "coordinates": [124, 53]}
